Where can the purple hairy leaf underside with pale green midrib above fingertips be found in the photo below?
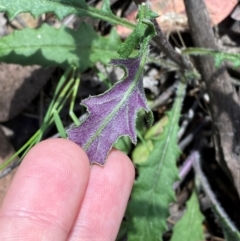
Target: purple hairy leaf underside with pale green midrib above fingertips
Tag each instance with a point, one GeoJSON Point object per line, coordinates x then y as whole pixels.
{"type": "Point", "coordinates": [112, 114]}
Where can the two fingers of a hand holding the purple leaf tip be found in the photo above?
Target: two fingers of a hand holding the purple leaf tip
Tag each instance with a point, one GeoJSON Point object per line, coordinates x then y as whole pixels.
{"type": "Point", "coordinates": [56, 195]}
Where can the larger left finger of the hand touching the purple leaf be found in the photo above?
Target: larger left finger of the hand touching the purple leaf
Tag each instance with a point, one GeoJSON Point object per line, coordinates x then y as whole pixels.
{"type": "Point", "coordinates": [46, 192]}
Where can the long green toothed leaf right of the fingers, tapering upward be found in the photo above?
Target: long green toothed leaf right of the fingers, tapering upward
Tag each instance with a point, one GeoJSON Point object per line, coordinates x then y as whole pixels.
{"type": "Point", "coordinates": [152, 192]}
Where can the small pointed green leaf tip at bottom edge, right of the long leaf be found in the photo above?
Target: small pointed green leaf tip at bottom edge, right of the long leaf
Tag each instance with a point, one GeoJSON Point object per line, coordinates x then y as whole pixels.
{"type": "Point", "coordinates": [189, 227]}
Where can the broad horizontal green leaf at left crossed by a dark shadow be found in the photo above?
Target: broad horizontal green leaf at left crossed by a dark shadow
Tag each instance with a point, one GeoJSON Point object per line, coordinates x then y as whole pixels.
{"type": "Point", "coordinates": [48, 46]}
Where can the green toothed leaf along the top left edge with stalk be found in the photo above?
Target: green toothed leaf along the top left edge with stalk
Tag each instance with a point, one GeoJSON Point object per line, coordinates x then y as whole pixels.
{"type": "Point", "coordinates": [61, 8]}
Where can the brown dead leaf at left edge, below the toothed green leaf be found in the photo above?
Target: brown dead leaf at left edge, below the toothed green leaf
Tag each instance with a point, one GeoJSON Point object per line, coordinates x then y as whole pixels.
{"type": "Point", "coordinates": [19, 85]}
